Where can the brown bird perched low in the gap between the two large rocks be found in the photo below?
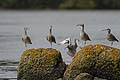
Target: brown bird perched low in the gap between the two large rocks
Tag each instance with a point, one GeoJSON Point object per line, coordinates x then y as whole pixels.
{"type": "Point", "coordinates": [72, 48]}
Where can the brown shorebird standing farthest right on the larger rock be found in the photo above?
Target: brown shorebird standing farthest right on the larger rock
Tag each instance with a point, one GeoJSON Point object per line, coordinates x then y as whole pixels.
{"type": "Point", "coordinates": [110, 36]}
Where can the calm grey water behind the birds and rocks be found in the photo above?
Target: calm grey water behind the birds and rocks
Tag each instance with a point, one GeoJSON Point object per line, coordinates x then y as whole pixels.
{"type": "Point", "coordinates": [38, 22]}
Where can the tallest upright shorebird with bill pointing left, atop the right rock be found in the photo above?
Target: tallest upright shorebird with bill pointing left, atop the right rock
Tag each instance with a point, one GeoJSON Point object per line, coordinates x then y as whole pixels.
{"type": "Point", "coordinates": [83, 35]}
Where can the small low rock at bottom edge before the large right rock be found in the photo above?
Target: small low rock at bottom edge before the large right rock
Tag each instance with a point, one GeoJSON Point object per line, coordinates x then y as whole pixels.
{"type": "Point", "coordinates": [84, 76]}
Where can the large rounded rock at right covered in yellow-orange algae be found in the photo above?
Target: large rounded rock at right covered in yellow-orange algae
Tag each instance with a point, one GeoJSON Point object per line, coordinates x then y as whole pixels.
{"type": "Point", "coordinates": [98, 60]}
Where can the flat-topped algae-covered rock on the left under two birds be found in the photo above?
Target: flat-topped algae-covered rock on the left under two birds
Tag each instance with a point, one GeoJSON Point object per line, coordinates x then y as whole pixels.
{"type": "Point", "coordinates": [41, 64]}
